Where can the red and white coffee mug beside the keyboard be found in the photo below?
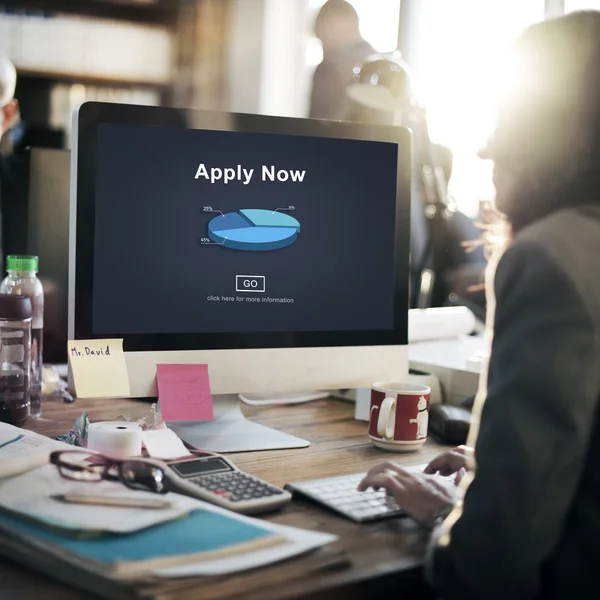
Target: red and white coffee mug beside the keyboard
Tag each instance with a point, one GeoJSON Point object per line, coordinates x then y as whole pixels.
{"type": "Point", "coordinates": [399, 415]}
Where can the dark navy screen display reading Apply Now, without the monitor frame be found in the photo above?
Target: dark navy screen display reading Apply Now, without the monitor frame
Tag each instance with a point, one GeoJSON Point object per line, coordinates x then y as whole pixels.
{"type": "Point", "coordinates": [227, 231]}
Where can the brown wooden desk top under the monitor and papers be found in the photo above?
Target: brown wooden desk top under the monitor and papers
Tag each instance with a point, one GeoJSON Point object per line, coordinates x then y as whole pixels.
{"type": "Point", "coordinates": [367, 557]}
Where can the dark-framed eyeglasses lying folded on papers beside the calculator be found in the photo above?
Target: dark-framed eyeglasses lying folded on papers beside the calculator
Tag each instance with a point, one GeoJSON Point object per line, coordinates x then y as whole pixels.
{"type": "Point", "coordinates": [135, 473]}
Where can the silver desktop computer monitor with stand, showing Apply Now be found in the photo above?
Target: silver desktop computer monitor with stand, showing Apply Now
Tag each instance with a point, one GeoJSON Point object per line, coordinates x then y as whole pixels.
{"type": "Point", "coordinates": [274, 250]}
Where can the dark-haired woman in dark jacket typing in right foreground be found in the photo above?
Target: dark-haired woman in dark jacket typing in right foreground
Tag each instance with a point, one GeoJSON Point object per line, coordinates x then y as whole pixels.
{"type": "Point", "coordinates": [526, 521]}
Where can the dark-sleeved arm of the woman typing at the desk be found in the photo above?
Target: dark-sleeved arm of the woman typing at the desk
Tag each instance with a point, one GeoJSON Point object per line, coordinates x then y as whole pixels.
{"type": "Point", "coordinates": [543, 390]}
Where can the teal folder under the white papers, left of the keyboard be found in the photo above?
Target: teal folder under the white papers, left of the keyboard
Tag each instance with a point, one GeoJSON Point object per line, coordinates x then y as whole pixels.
{"type": "Point", "coordinates": [203, 535]}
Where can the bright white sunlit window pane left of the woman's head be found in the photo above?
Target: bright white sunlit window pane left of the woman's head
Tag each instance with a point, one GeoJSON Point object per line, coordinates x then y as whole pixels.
{"type": "Point", "coordinates": [459, 49]}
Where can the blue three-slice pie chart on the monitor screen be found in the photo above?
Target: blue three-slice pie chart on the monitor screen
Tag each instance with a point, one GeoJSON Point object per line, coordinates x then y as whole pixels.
{"type": "Point", "coordinates": [254, 230]}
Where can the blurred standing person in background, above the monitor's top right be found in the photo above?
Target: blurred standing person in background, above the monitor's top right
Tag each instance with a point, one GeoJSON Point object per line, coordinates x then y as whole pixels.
{"type": "Point", "coordinates": [337, 27]}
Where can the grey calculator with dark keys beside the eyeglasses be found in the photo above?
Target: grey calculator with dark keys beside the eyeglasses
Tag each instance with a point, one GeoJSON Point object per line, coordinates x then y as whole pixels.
{"type": "Point", "coordinates": [213, 478]}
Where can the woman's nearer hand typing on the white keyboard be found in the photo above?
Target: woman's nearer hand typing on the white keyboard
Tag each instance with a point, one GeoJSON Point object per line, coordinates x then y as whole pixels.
{"type": "Point", "coordinates": [420, 495]}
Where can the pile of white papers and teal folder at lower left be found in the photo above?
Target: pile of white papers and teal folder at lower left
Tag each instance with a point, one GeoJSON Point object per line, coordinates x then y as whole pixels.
{"type": "Point", "coordinates": [107, 546]}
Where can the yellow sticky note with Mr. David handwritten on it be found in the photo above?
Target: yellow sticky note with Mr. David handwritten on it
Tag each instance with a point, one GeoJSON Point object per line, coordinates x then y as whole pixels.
{"type": "Point", "coordinates": [98, 368]}
